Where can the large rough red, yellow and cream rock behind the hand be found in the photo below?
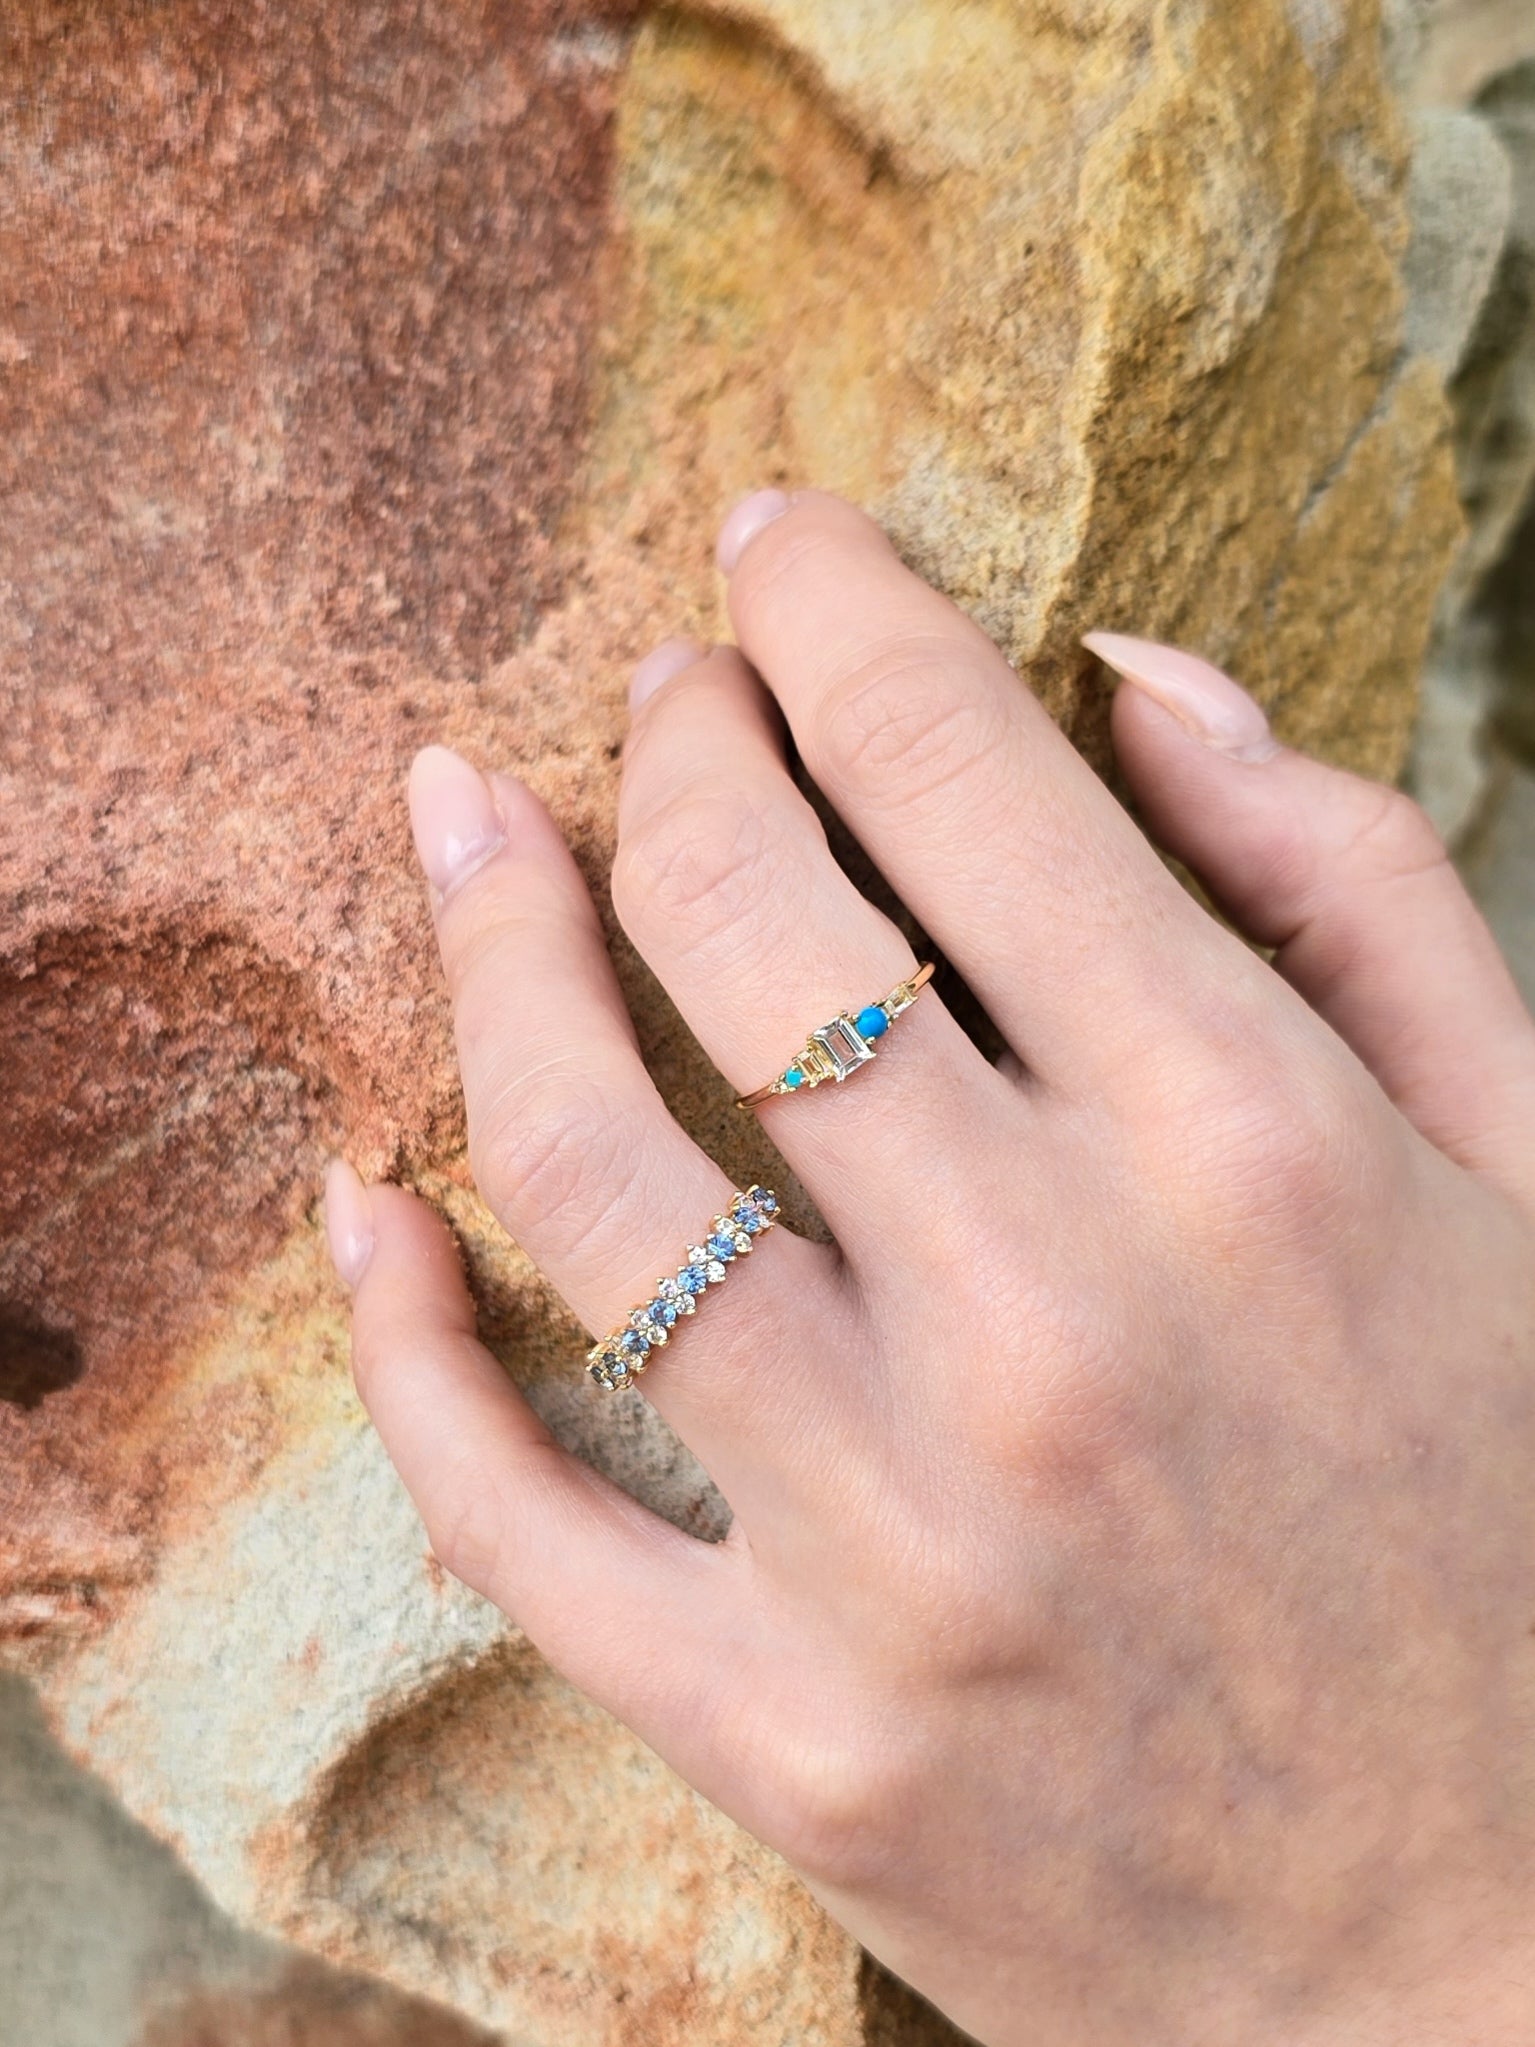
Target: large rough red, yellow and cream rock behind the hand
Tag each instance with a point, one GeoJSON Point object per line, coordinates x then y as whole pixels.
{"type": "Point", "coordinates": [374, 376]}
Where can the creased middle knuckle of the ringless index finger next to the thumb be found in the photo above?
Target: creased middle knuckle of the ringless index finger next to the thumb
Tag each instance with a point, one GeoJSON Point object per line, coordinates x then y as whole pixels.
{"type": "Point", "coordinates": [902, 722]}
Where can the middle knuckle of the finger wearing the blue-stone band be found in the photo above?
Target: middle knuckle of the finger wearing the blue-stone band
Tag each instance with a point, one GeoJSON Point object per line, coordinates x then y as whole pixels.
{"type": "Point", "coordinates": [547, 1149]}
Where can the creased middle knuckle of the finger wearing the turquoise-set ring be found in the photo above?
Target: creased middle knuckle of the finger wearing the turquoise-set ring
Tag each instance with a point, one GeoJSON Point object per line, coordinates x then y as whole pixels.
{"type": "Point", "coordinates": [701, 863]}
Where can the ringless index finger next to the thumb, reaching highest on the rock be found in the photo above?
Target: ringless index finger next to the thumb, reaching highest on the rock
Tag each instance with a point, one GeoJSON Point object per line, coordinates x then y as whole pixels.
{"type": "Point", "coordinates": [979, 812]}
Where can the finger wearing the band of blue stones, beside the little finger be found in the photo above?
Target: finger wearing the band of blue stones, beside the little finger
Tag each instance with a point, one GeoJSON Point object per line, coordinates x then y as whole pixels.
{"type": "Point", "coordinates": [570, 1141]}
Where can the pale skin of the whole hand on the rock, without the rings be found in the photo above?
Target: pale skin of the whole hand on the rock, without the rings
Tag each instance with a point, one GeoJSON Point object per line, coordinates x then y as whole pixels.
{"type": "Point", "coordinates": [1129, 1618]}
